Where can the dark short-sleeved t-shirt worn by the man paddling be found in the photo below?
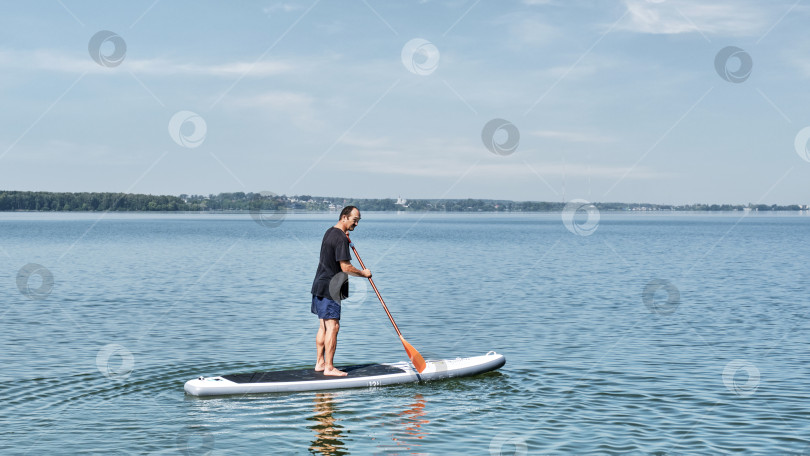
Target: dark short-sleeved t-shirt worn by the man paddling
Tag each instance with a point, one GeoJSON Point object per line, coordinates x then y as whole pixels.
{"type": "Point", "coordinates": [334, 249]}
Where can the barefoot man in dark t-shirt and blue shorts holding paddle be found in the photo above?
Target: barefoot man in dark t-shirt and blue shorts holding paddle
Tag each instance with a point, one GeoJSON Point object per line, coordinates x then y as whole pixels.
{"type": "Point", "coordinates": [331, 285]}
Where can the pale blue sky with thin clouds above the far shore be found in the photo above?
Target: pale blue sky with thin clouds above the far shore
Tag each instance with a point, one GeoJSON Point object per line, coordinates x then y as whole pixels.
{"type": "Point", "coordinates": [612, 100]}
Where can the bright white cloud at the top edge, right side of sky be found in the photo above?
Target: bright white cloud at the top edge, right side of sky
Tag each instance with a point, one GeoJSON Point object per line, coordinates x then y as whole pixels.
{"type": "Point", "coordinates": [737, 18]}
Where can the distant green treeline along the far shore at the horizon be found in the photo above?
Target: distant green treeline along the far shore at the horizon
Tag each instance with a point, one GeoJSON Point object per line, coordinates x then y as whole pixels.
{"type": "Point", "coordinates": [241, 201]}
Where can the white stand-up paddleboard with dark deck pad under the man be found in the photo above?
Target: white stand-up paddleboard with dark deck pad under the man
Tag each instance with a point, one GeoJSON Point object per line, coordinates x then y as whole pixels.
{"type": "Point", "coordinates": [359, 376]}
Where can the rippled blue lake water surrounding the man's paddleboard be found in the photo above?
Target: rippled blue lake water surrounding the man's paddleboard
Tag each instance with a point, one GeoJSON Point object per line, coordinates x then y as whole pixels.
{"type": "Point", "coordinates": [634, 333]}
